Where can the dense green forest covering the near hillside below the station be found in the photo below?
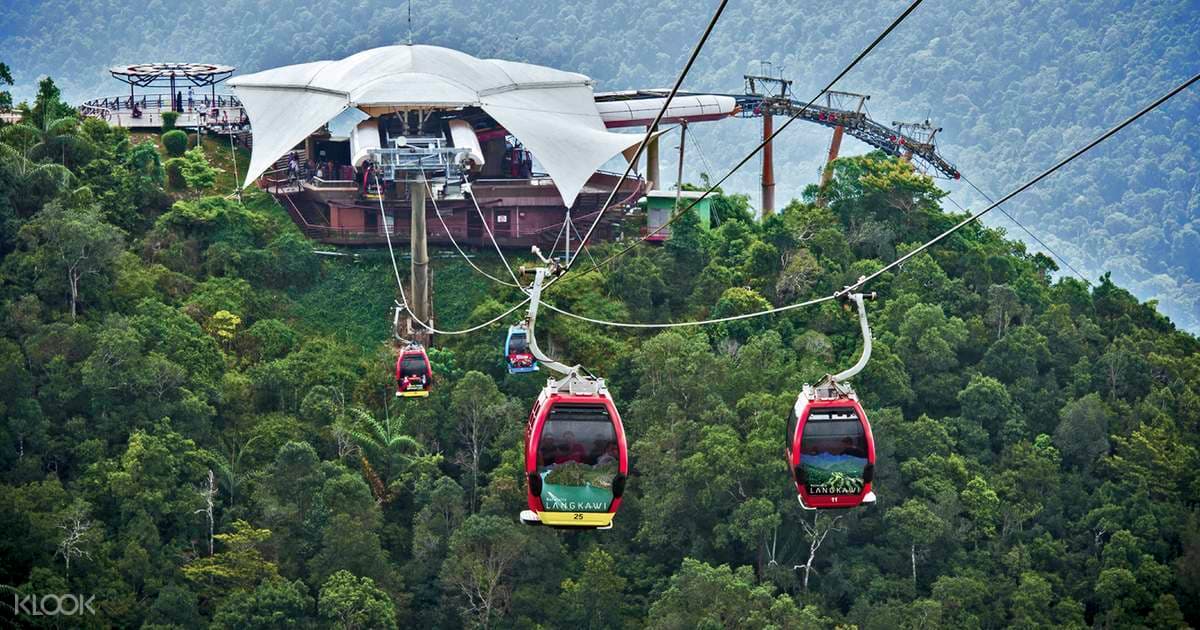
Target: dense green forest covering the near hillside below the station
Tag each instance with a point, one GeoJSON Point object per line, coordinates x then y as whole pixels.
{"type": "Point", "coordinates": [200, 430]}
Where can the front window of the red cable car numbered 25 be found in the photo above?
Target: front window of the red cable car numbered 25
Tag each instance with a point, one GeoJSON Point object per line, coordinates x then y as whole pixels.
{"type": "Point", "coordinates": [578, 459]}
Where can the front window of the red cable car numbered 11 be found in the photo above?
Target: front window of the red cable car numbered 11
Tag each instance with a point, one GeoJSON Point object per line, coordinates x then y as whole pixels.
{"type": "Point", "coordinates": [833, 452]}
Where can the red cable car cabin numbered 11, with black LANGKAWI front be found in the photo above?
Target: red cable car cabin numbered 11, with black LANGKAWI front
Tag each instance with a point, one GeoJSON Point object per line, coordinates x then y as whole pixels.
{"type": "Point", "coordinates": [831, 451]}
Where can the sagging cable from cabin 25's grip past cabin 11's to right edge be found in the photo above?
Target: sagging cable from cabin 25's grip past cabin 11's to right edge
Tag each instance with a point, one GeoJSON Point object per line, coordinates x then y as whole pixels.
{"type": "Point", "coordinates": [901, 261]}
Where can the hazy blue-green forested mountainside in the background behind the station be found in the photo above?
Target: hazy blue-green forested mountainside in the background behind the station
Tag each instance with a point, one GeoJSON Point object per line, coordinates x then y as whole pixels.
{"type": "Point", "coordinates": [1015, 83]}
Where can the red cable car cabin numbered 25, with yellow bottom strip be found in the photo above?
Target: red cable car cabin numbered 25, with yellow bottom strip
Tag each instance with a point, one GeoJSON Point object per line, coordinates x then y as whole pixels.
{"type": "Point", "coordinates": [577, 460]}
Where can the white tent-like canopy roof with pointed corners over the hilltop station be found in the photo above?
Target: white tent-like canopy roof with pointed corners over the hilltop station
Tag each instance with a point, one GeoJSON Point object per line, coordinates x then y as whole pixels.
{"type": "Point", "coordinates": [551, 112]}
